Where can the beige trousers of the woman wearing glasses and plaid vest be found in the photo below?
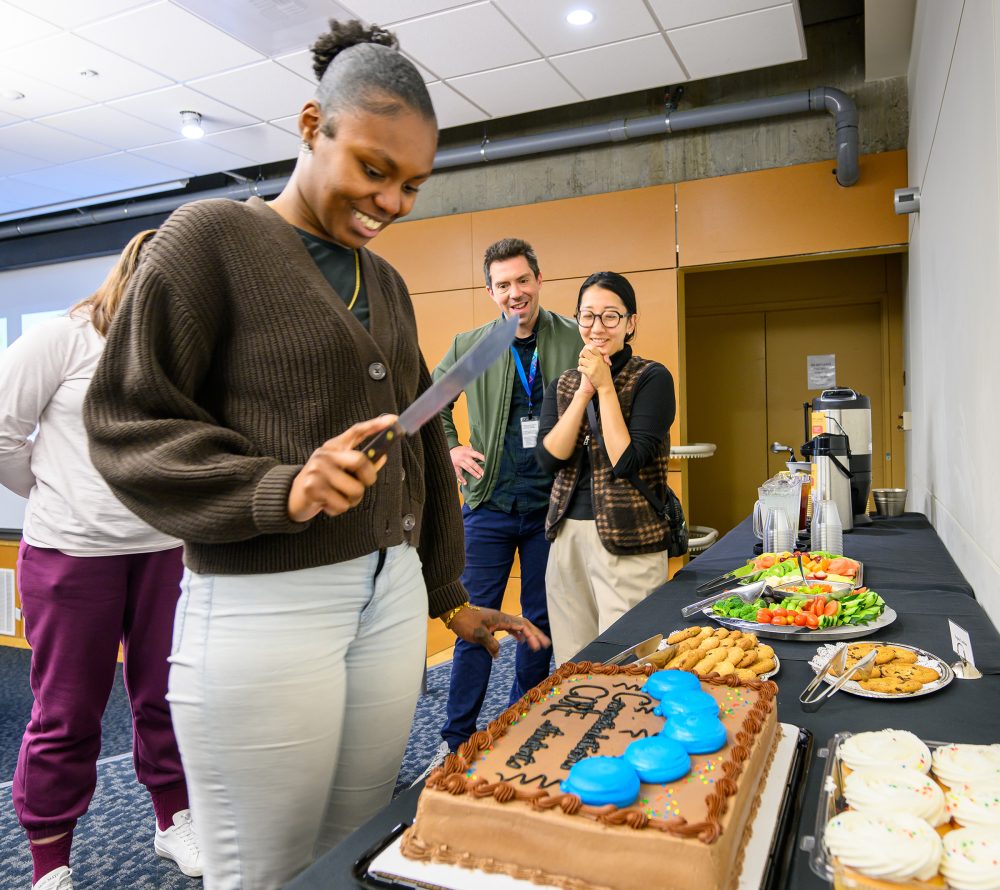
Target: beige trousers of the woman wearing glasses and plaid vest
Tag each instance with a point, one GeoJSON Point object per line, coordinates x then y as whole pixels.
{"type": "Point", "coordinates": [589, 589]}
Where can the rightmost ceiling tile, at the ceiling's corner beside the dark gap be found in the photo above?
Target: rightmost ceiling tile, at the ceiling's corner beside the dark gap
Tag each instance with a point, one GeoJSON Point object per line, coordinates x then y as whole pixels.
{"type": "Point", "coordinates": [741, 43]}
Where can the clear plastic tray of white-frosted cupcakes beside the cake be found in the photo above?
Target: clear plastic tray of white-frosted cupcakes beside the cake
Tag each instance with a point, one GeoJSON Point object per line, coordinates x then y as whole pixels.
{"type": "Point", "coordinates": [898, 811]}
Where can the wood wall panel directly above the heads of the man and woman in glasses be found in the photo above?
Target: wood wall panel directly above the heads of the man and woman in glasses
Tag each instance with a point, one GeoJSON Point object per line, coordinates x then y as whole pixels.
{"type": "Point", "coordinates": [622, 231]}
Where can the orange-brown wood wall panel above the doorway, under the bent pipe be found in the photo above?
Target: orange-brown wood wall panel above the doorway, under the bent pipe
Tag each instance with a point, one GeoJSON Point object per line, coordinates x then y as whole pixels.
{"type": "Point", "coordinates": [789, 211]}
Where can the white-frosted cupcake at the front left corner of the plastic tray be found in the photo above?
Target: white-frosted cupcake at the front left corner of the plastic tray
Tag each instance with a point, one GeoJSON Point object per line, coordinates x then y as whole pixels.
{"type": "Point", "coordinates": [892, 846]}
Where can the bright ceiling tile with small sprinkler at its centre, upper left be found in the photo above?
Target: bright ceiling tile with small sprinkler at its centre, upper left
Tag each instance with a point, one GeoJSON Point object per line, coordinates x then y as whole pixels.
{"type": "Point", "coordinates": [59, 60]}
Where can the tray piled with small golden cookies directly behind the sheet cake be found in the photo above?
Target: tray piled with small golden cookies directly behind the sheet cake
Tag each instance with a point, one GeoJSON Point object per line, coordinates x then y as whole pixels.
{"type": "Point", "coordinates": [715, 650]}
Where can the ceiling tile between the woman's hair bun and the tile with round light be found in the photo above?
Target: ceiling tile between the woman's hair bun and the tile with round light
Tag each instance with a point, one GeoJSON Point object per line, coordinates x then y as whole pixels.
{"type": "Point", "coordinates": [433, 42]}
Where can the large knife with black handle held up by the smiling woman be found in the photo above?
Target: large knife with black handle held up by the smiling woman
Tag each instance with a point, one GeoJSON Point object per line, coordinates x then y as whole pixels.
{"type": "Point", "coordinates": [447, 389]}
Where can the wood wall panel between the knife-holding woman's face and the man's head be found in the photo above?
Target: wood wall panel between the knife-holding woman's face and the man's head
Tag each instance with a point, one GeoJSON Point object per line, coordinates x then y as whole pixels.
{"type": "Point", "coordinates": [430, 254]}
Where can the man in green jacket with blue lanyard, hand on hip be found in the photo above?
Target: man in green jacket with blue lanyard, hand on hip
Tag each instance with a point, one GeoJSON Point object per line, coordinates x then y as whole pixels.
{"type": "Point", "coordinates": [506, 492]}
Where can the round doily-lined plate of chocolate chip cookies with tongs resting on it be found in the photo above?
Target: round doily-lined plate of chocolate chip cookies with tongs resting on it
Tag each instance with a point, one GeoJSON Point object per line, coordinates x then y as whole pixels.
{"type": "Point", "coordinates": [900, 671]}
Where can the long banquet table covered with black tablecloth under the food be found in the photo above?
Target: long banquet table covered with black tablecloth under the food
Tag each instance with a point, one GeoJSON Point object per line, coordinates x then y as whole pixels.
{"type": "Point", "coordinates": [906, 562]}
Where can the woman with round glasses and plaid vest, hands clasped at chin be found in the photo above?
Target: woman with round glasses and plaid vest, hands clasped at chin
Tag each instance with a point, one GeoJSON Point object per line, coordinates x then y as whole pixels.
{"type": "Point", "coordinates": [605, 433]}
